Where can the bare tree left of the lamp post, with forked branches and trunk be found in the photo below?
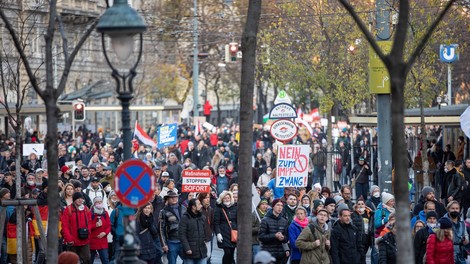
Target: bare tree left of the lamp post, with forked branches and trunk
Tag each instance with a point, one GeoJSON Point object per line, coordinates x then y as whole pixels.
{"type": "Point", "coordinates": [49, 94]}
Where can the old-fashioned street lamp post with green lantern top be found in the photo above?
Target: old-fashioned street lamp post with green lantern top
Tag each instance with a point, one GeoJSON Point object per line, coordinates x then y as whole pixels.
{"type": "Point", "coordinates": [121, 23]}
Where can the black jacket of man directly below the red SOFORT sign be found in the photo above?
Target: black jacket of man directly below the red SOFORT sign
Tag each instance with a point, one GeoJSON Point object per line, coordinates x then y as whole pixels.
{"type": "Point", "coordinates": [192, 235]}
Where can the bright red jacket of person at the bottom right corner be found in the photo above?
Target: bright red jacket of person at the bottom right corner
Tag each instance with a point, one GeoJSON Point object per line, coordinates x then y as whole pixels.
{"type": "Point", "coordinates": [438, 252]}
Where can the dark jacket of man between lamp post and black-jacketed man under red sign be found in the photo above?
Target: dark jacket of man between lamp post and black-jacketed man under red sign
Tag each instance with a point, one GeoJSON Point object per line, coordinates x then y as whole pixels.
{"type": "Point", "coordinates": [169, 224]}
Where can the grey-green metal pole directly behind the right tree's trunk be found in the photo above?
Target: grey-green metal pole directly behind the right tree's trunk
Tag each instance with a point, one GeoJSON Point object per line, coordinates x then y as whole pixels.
{"type": "Point", "coordinates": [384, 106]}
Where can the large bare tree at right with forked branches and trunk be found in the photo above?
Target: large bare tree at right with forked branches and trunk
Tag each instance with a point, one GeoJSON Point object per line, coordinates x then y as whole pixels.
{"type": "Point", "coordinates": [398, 68]}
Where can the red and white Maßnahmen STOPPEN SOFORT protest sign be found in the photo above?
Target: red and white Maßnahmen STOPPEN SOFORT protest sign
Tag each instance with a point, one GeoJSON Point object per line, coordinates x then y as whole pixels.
{"type": "Point", "coordinates": [196, 181]}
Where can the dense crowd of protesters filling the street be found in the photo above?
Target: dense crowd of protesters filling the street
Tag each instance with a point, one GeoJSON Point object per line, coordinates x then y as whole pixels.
{"type": "Point", "coordinates": [343, 223]}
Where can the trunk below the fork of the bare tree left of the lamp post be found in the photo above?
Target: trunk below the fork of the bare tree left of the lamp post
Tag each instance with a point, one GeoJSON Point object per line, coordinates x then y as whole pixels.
{"type": "Point", "coordinates": [52, 191]}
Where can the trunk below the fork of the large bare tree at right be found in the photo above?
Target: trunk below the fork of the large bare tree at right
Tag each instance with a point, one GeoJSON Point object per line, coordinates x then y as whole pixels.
{"type": "Point", "coordinates": [399, 155]}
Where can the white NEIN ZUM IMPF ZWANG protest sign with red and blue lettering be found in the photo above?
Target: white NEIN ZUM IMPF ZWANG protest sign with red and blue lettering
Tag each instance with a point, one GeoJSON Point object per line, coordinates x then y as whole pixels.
{"type": "Point", "coordinates": [292, 166]}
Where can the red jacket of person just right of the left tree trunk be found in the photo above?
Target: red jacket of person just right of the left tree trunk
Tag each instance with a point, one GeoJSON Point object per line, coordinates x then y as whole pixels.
{"type": "Point", "coordinates": [70, 225]}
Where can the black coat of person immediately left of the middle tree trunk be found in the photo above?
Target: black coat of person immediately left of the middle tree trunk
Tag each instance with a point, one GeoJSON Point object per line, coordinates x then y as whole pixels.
{"type": "Point", "coordinates": [221, 225]}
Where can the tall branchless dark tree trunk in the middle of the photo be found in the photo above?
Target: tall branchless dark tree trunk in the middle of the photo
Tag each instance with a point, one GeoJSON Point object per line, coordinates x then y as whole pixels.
{"type": "Point", "coordinates": [244, 254]}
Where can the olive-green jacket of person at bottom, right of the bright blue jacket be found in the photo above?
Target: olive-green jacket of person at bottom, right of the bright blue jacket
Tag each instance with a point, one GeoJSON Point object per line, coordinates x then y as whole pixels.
{"type": "Point", "coordinates": [311, 254]}
